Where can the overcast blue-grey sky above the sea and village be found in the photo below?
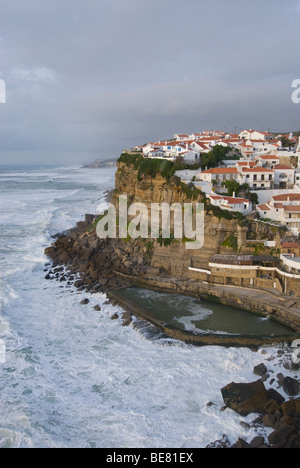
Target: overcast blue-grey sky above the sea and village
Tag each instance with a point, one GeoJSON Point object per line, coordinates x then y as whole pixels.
{"type": "Point", "coordinates": [87, 78]}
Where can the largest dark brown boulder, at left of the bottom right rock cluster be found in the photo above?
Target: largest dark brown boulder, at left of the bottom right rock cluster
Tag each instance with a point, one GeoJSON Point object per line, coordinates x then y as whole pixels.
{"type": "Point", "coordinates": [245, 398]}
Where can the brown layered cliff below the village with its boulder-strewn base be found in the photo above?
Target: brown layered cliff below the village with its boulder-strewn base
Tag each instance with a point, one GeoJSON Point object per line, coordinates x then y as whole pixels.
{"type": "Point", "coordinates": [107, 264]}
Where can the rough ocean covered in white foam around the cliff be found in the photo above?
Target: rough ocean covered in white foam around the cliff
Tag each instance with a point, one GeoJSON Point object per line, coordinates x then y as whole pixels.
{"type": "Point", "coordinates": [70, 377]}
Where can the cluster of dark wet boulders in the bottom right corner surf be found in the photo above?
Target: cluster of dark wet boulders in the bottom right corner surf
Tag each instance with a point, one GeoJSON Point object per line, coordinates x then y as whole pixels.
{"type": "Point", "coordinates": [271, 410]}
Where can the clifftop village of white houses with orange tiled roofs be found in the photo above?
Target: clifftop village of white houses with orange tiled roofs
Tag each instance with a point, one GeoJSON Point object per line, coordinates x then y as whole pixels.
{"type": "Point", "coordinates": [257, 176]}
